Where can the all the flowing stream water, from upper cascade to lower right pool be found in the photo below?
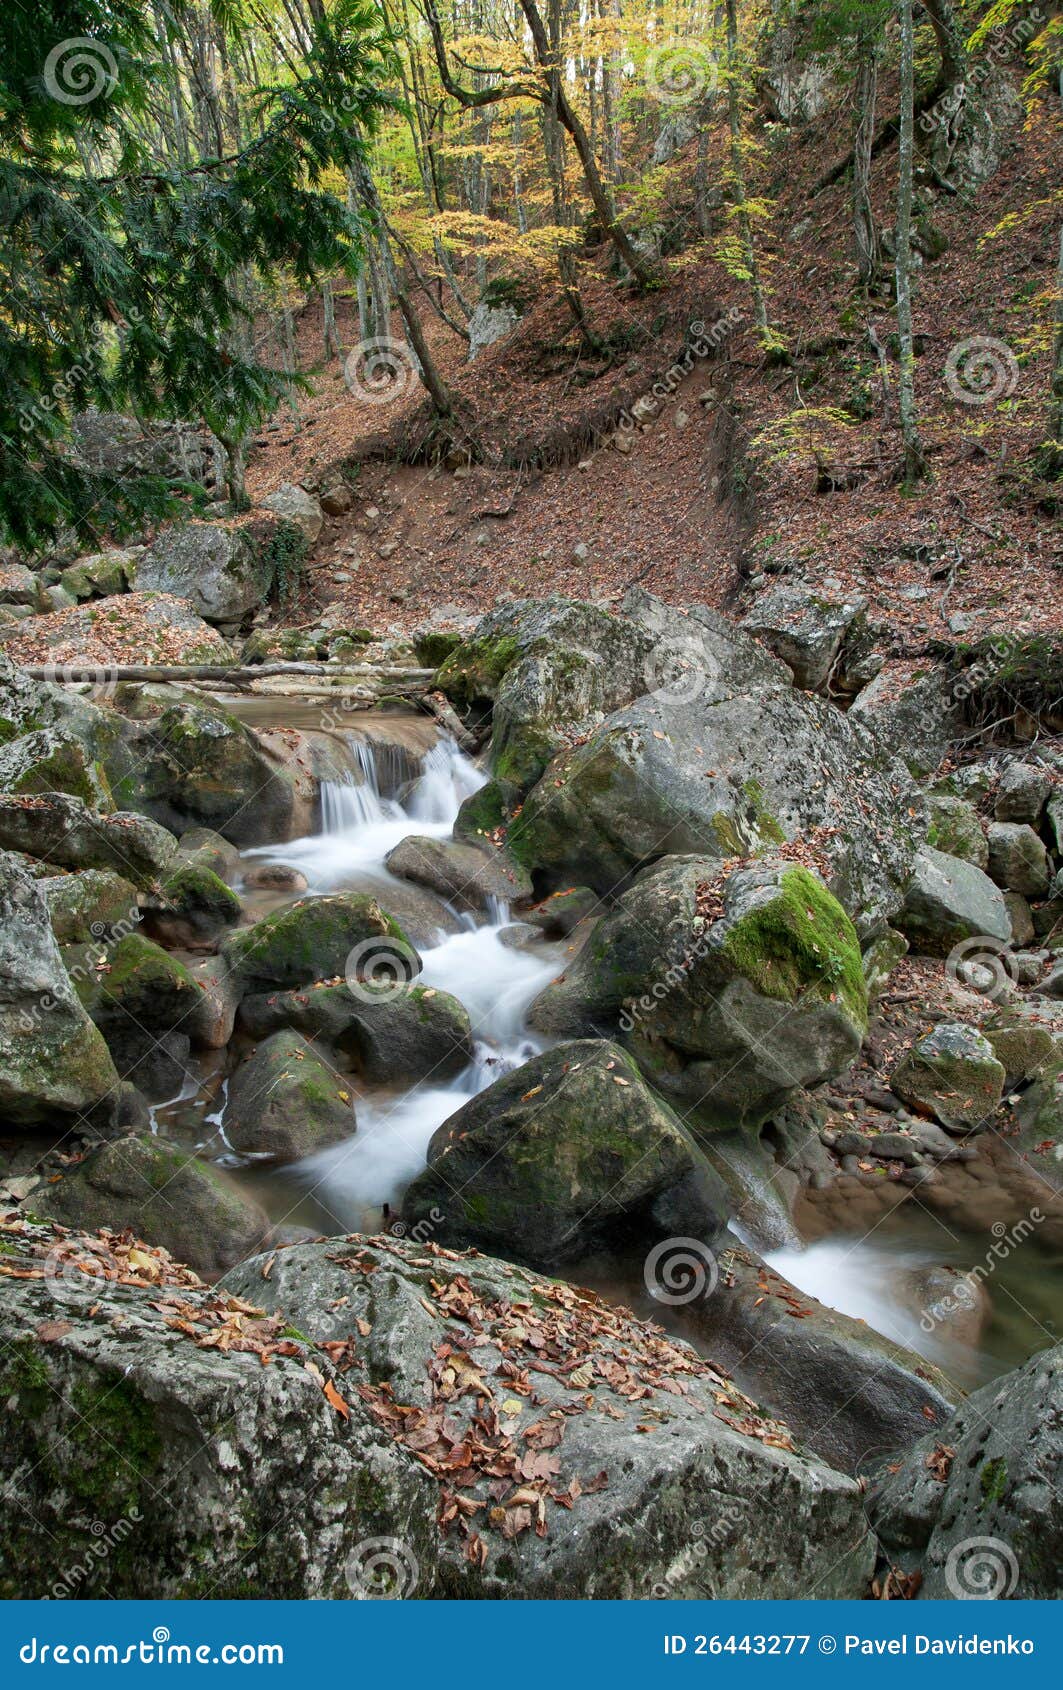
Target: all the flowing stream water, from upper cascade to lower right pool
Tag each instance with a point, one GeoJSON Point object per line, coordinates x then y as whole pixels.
{"type": "Point", "coordinates": [347, 1186]}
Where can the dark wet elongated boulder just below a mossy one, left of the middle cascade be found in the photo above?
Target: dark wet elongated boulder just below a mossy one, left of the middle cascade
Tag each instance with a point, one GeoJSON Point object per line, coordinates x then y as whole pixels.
{"type": "Point", "coordinates": [391, 1035]}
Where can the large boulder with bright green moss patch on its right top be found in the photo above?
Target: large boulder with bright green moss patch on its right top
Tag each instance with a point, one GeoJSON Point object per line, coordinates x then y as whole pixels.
{"type": "Point", "coordinates": [731, 995]}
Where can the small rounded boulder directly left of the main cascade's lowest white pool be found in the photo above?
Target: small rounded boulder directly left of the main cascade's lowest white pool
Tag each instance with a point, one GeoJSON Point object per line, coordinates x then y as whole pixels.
{"type": "Point", "coordinates": [285, 1101]}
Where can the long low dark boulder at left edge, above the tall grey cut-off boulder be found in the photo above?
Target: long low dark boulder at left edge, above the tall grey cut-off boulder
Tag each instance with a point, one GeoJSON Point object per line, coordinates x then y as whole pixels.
{"type": "Point", "coordinates": [65, 832]}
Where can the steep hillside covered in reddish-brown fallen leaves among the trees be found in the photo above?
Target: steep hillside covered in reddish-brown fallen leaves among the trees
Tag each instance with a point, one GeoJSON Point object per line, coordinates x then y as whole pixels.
{"type": "Point", "coordinates": [751, 467]}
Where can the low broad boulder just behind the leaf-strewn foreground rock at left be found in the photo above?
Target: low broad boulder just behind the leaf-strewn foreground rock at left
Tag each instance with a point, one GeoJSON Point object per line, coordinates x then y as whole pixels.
{"type": "Point", "coordinates": [166, 1197]}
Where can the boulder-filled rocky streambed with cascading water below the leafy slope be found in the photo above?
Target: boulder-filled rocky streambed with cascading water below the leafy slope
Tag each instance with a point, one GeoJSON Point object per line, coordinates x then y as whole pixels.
{"type": "Point", "coordinates": [687, 995]}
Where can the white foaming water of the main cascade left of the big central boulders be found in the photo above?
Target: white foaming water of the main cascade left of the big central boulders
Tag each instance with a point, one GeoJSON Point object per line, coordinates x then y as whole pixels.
{"type": "Point", "coordinates": [491, 979]}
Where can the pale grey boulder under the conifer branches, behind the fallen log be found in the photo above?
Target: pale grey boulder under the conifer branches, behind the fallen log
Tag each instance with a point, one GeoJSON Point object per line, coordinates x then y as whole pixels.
{"type": "Point", "coordinates": [222, 570]}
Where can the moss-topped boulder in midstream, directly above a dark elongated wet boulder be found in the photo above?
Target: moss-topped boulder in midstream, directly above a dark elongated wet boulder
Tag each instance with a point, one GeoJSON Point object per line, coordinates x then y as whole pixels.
{"type": "Point", "coordinates": [313, 940]}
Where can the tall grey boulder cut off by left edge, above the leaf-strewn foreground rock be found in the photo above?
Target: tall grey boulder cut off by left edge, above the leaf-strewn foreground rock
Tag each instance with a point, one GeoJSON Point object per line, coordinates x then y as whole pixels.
{"type": "Point", "coordinates": [55, 1067]}
